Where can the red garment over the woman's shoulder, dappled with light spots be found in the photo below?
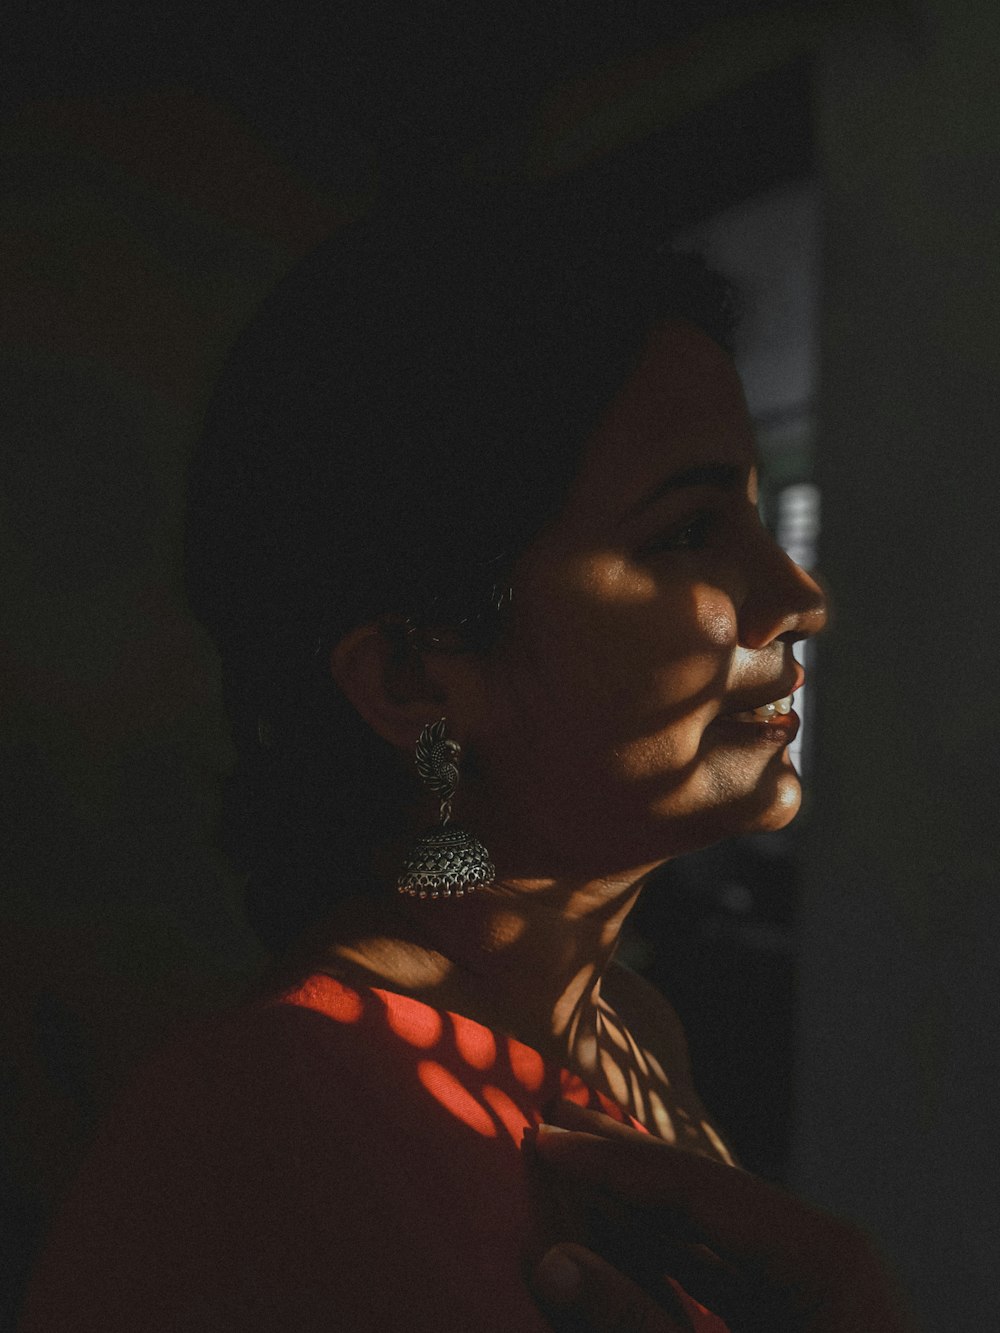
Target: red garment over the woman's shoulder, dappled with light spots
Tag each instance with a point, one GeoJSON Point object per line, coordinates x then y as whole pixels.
{"type": "Point", "coordinates": [333, 1160]}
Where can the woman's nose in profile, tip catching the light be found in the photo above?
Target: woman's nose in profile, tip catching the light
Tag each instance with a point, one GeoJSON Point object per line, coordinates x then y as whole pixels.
{"type": "Point", "coordinates": [783, 602]}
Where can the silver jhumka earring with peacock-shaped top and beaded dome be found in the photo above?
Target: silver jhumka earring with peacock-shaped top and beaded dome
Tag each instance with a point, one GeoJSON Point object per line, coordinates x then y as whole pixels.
{"type": "Point", "coordinates": [447, 862]}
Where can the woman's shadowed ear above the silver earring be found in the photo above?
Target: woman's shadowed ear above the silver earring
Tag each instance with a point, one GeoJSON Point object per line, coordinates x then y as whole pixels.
{"type": "Point", "coordinates": [390, 690]}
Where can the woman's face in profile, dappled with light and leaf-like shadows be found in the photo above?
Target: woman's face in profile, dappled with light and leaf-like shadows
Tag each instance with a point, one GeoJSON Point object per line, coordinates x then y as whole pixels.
{"type": "Point", "coordinates": [647, 622]}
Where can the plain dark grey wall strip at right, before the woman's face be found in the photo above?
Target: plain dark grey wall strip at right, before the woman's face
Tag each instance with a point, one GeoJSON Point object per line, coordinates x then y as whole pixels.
{"type": "Point", "coordinates": [901, 1023]}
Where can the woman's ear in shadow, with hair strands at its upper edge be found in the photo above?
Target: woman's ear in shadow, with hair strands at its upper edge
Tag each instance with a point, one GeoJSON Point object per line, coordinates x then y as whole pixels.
{"type": "Point", "coordinates": [399, 692]}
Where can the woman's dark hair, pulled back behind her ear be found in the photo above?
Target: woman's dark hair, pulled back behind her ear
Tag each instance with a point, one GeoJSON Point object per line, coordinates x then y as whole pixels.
{"type": "Point", "coordinates": [405, 414]}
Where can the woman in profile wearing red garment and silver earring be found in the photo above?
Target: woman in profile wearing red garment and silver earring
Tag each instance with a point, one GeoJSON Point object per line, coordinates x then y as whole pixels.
{"type": "Point", "coordinates": [474, 526]}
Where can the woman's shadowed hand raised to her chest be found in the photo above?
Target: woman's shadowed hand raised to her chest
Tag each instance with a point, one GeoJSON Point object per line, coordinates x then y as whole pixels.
{"type": "Point", "coordinates": [758, 1258]}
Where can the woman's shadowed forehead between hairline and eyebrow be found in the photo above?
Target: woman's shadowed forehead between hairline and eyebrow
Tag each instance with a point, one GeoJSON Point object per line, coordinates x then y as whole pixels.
{"type": "Point", "coordinates": [685, 406]}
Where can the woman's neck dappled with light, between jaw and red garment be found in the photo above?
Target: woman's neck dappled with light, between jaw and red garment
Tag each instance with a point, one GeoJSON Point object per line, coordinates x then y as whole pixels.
{"type": "Point", "coordinates": [523, 958]}
